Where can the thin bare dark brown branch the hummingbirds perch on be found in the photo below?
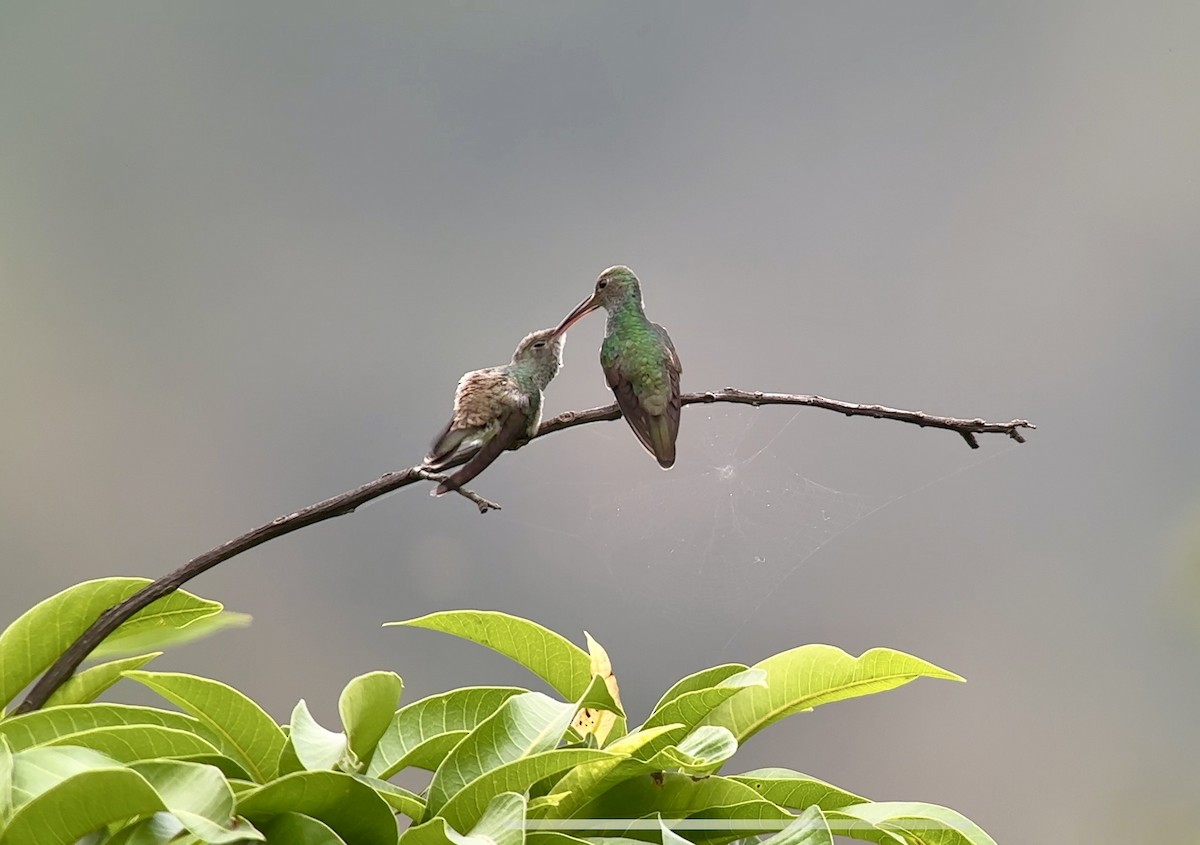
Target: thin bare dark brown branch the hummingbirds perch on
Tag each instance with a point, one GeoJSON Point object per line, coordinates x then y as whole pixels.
{"type": "Point", "coordinates": [346, 504]}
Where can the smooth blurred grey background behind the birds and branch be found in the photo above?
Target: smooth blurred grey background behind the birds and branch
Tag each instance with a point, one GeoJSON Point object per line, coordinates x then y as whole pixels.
{"type": "Point", "coordinates": [247, 250]}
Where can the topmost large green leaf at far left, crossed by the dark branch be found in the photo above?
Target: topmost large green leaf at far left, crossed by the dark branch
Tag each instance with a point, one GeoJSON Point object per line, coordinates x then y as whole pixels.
{"type": "Point", "coordinates": [41, 634]}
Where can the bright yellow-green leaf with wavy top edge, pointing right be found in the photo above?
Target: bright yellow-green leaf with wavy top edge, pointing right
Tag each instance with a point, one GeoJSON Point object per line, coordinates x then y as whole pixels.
{"type": "Point", "coordinates": [808, 676]}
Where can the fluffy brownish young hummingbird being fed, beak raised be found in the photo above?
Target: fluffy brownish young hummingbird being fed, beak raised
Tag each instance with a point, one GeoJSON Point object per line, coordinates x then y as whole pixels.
{"type": "Point", "coordinates": [496, 407]}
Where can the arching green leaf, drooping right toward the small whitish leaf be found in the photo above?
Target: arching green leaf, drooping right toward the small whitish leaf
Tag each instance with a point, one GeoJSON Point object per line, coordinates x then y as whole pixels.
{"type": "Point", "coordinates": [249, 734]}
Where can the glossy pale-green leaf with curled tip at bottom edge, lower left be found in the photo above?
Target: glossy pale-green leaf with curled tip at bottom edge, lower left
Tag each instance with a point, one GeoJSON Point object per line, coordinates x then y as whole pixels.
{"type": "Point", "coordinates": [200, 799]}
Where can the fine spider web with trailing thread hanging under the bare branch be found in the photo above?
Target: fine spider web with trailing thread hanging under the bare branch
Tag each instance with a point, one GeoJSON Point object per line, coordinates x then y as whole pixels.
{"type": "Point", "coordinates": [705, 548]}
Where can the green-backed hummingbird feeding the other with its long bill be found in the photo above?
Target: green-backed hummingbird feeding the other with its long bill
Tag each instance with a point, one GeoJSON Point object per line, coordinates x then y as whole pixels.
{"type": "Point", "coordinates": [639, 359]}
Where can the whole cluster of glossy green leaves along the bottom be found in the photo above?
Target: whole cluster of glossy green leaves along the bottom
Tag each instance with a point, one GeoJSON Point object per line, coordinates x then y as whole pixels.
{"type": "Point", "coordinates": [501, 765]}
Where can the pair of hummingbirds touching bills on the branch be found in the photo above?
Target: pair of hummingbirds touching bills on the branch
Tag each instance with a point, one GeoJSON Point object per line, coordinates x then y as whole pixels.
{"type": "Point", "coordinates": [497, 407]}
